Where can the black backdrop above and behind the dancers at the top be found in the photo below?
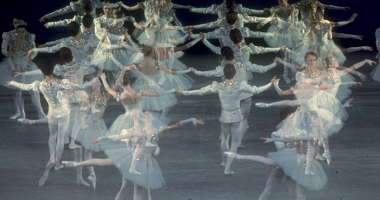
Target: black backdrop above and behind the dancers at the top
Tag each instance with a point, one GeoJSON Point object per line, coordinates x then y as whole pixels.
{"type": "Point", "coordinates": [32, 10]}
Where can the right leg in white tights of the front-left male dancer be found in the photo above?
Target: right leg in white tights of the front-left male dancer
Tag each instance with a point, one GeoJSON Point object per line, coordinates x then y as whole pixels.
{"type": "Point", "coordinates": [63, 125]}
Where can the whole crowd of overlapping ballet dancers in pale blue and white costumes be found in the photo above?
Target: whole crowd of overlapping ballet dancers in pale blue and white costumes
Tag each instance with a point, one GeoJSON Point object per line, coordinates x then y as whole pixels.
{"type": "Point", "coordinates": [101, 61]}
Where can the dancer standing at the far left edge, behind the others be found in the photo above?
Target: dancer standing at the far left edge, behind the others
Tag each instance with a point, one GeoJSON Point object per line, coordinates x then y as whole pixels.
{"type": "Point", "coordinates": [17, 62]}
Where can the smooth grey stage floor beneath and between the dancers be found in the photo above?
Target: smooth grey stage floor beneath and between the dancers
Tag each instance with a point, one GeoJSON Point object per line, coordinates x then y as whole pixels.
{"type": "Point", "coordinates": [190, 157]}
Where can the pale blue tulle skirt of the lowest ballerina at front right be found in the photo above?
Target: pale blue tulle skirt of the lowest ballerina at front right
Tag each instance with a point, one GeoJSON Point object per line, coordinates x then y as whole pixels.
{"type": "Point", "coordinates": [293, 165]}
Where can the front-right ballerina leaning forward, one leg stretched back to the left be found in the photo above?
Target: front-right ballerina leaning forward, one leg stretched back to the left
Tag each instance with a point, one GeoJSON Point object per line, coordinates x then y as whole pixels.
{"type": "Point", "coordinates": [293, 161]}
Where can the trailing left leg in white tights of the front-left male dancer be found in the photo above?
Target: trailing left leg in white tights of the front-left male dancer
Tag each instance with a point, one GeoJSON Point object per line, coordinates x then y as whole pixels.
{"type": "Point", "coordinates": [53, 129]}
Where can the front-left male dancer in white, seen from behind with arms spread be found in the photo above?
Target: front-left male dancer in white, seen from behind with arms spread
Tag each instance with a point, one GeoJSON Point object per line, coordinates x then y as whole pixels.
{"type": "Point", "coordinates": [59, 113]}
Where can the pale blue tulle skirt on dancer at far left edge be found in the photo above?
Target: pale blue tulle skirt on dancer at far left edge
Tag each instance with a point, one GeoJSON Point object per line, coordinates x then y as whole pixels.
{"type": "Point", "coordinates": [5, 74]}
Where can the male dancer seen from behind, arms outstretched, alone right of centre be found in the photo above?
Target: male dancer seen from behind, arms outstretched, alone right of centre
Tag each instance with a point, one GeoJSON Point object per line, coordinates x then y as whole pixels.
{"type": "Point", "coordinates": [231, 117]}
